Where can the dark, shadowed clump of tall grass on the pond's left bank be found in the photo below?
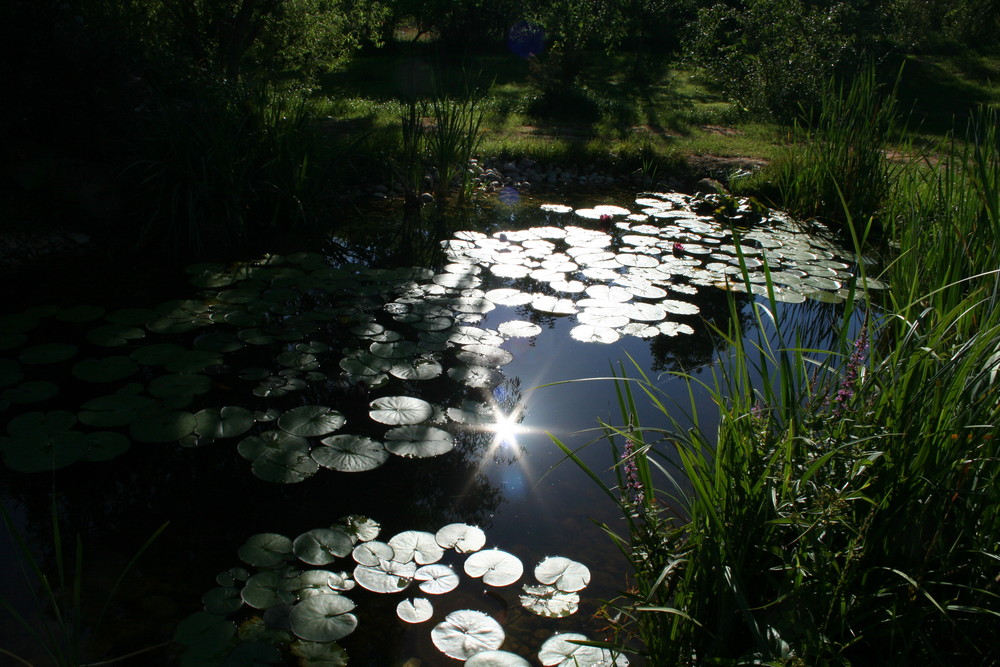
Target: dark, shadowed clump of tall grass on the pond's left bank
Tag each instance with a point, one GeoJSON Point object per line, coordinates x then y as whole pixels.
{"type": "Point", "coordinates": [228, 168]}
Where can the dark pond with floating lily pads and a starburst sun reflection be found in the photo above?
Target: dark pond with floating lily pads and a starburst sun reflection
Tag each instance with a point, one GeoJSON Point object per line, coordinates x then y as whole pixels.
{"type": "Point", "coordinates": [351, 444]}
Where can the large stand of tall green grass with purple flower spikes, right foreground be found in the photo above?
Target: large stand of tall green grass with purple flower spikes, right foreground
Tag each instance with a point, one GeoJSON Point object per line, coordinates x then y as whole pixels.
{"type": "Point", "coordinates": [846, 509]}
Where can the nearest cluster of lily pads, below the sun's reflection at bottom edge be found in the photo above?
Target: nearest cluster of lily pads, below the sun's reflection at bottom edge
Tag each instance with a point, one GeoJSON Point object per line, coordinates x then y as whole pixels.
{"type": "Point", "coordinates": [295, 600]}
